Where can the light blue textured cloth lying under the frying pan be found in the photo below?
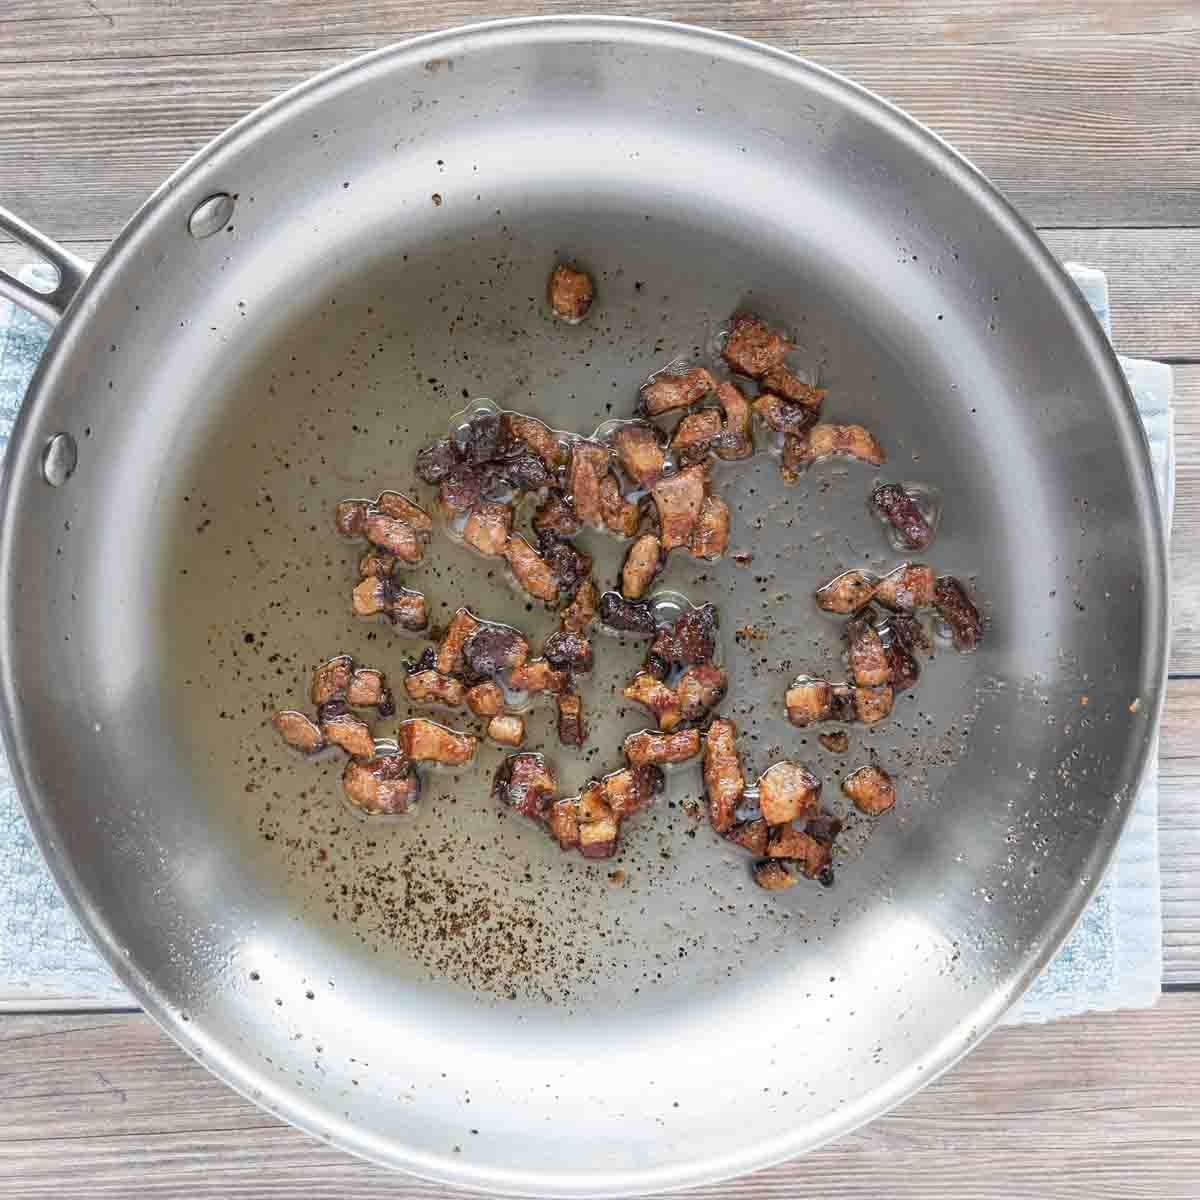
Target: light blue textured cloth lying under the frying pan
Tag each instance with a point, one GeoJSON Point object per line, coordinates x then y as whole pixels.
{"type": "Point", "coordinates": [1114, 959]}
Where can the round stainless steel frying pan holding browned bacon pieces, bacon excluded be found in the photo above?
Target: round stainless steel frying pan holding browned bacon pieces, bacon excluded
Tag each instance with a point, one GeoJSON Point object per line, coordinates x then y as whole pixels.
{"type": "Point", "coordinates": [448, 994]}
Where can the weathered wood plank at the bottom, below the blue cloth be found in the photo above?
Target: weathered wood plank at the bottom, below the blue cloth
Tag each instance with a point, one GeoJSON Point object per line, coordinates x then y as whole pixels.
{"type": "Point", "coordinates": [1106, 1107]}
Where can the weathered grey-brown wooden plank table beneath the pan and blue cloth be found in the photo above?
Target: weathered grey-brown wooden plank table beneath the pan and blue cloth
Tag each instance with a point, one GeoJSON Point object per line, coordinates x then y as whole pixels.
{"type": "Point", "coordinates": [1089, 117]}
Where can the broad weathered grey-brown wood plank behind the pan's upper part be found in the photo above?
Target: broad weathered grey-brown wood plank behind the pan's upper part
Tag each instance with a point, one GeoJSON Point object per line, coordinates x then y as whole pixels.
{"type": "Point", "coordinates": [1079, 131]}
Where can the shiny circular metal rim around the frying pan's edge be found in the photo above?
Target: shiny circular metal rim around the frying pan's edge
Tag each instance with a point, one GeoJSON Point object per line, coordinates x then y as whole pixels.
{"type": "Point", "coordinates": [274, 1096]}
